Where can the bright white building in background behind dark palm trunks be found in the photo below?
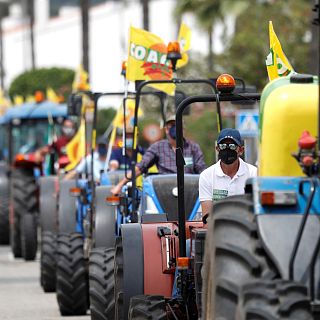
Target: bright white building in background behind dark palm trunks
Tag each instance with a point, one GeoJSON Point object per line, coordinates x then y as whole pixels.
{"type": "Point", "coordinates": [58, 40]}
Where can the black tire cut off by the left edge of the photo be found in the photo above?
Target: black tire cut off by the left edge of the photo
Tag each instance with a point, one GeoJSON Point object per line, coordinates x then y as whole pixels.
{"type": "Point", "coordinates": [4, 206]}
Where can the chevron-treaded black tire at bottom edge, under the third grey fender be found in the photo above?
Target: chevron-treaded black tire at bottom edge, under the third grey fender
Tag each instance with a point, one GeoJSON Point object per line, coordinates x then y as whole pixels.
{"type": "Point", "coordinates": [101, 280]}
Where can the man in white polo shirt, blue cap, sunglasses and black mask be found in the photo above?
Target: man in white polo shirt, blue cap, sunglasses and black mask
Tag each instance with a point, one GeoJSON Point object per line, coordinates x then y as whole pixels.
{"type": "Point", "coordinates": [228, 176]}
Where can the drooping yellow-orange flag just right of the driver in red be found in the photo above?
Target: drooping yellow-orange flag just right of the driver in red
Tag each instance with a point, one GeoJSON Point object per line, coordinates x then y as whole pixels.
{"type": "Point", "coordinates": [76, 148]}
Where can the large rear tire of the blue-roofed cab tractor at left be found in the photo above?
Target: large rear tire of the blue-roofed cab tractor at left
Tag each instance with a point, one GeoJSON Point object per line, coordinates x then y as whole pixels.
{"type": "Point", "coordinates": [24, 200]}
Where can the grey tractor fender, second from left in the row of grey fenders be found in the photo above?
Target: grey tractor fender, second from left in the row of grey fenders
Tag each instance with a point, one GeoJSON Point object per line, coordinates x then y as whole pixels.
{"type": "Point", "coordinates": [67, 207]}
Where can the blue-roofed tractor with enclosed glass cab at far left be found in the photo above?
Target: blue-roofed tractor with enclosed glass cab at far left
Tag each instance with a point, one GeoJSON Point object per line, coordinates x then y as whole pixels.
{"type": "Point", "coordinates": [29, 127]}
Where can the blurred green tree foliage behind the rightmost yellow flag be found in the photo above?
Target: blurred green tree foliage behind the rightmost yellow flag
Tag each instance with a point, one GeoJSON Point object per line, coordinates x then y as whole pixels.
{"type": "Point", "coordinates": [245, 54]}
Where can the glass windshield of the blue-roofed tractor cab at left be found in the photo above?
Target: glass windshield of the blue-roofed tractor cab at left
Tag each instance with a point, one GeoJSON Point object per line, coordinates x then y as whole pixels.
{"type": "Point", "coordinates": [30, 135]}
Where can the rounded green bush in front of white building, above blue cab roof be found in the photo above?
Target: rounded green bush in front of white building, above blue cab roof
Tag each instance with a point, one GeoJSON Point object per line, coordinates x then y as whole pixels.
{"type": "Point", "coordinates": [59, 79]}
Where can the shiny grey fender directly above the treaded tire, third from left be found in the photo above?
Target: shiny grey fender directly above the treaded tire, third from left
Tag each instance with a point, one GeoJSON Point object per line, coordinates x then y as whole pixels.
{"type": "Point", "coordinates": [104, 219]}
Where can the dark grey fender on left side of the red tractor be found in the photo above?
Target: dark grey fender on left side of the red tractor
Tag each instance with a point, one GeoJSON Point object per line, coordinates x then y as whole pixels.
{"type": "Point", "coordinates": [133, 263]}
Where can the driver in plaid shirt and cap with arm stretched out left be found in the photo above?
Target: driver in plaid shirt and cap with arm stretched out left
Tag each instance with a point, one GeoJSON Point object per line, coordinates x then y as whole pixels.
{"type": "Point", "coordinates": [162, 154]}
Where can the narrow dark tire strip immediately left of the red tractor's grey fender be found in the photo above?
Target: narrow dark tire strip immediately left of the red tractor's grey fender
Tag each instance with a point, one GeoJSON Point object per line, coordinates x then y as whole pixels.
{"type": "Point", "coordinates": [118, 281]}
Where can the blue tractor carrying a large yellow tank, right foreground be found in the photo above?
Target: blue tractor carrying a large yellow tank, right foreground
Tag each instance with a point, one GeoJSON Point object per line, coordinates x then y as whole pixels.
{"type": "Point", "coordinates": [262, 248]}
